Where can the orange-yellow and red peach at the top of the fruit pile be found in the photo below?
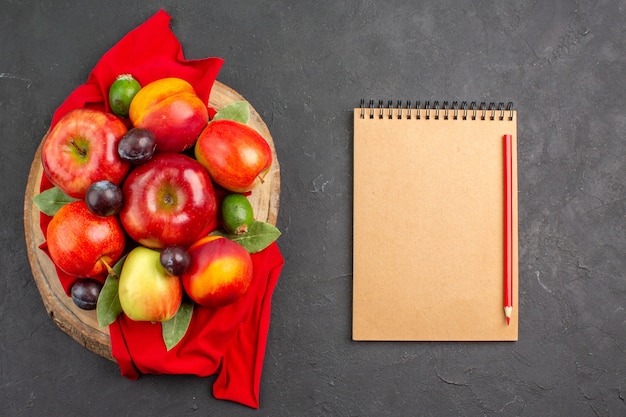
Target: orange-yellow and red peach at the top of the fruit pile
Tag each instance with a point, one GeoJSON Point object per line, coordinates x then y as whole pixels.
{"type": "Point", "coordinates": [169, 108]}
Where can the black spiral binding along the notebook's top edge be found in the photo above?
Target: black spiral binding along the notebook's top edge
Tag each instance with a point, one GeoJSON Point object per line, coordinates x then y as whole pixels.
{"type": "Point", "coordinates": [455, 111]}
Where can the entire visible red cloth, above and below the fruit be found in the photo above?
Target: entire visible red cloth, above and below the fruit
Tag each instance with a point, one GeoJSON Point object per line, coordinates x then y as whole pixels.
{"type": "Point", "coordinates": [229, 341]}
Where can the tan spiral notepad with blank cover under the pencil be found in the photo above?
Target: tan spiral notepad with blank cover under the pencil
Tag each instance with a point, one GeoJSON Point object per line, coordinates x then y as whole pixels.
{"type": "Point", "coordinates": [428, 231]}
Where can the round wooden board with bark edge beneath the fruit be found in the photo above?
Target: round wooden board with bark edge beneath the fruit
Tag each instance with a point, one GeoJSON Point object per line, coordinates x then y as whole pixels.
{"type": "Point", "coordinates": [82, 325]}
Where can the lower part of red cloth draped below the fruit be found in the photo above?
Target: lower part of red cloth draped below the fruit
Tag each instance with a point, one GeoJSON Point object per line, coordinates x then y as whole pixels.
{"type": "Point", "coordinates": [229, 341]}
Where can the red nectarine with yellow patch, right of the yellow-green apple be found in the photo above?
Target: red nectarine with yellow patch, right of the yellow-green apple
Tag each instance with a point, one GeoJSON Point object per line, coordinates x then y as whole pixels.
{"type": "Point", "coordinates": [219, 272]}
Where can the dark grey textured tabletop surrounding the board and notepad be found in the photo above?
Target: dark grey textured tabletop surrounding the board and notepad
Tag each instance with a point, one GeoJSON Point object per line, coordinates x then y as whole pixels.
{"type": "Point", "coordinates": [304, 66]}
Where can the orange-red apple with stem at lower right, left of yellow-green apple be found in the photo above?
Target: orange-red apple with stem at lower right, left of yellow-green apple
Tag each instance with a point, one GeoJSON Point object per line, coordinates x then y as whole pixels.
{"type": "Point", "coordinates": [83, 244]}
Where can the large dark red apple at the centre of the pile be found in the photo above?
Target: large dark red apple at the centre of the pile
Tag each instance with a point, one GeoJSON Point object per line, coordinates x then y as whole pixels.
{"type": "Point", "coordinates": [169, 200]}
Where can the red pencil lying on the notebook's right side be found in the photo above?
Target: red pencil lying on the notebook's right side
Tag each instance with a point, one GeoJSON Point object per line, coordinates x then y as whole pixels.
{"type": "Point", "coordinates": [508, 228]}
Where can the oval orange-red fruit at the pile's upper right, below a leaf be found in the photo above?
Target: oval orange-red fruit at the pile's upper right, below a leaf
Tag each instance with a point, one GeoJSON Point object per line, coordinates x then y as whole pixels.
{"type": "Point", "coordinates": [236, 155]}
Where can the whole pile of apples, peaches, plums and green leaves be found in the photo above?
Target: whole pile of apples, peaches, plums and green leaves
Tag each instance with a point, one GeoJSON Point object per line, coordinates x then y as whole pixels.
{"type": "Point", "coordinates": [148, 204]}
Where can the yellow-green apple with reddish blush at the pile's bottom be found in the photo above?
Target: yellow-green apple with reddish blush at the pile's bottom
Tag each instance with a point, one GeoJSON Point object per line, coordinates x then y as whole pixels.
{"type": "Point", "coordinates": [146, 291]}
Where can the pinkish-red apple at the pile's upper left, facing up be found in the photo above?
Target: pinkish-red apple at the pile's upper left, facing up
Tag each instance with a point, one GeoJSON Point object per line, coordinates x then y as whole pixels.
{"type": "Point", "coordinates": [82, 149]}
